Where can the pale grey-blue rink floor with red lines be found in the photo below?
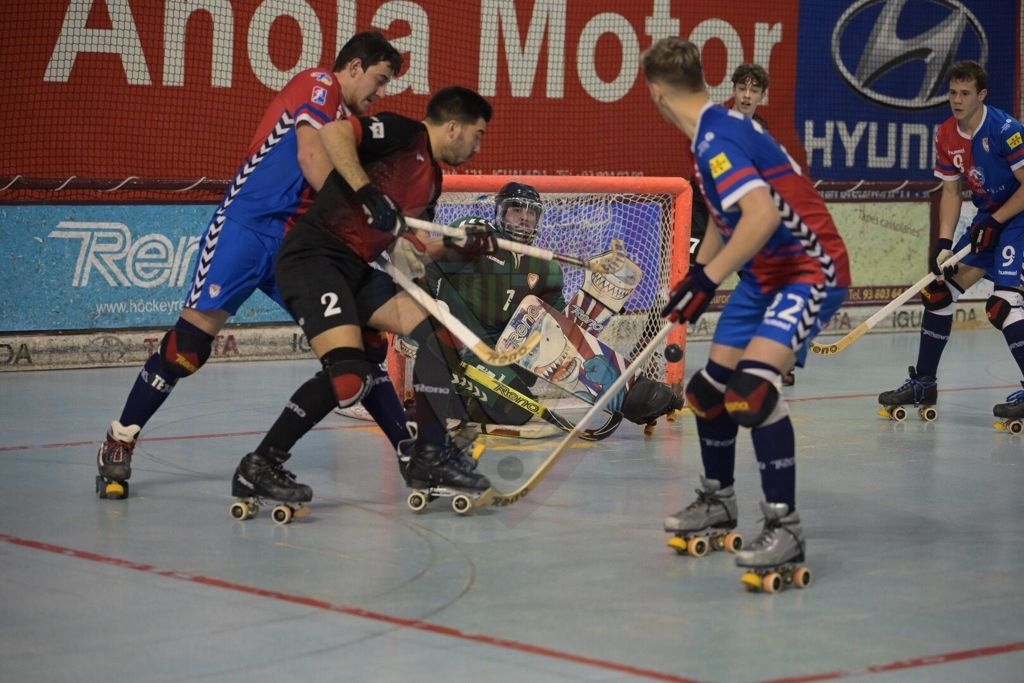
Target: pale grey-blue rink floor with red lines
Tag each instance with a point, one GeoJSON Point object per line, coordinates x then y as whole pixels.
{"type": "Point", "coordinates": [915, 532]}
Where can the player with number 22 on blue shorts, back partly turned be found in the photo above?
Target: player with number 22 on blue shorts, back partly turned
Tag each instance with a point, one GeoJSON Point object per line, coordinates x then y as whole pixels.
{"type": "Point", "coordinates": [776, 231]}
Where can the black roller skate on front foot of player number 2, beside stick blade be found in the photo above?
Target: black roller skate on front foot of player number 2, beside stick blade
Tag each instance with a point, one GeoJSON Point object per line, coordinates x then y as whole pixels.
{"type": "Point", "coordinates": [434, 472]}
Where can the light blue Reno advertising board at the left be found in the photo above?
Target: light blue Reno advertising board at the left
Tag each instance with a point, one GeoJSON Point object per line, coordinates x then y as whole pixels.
{"type": "Point", "coordinates": [84, 268]}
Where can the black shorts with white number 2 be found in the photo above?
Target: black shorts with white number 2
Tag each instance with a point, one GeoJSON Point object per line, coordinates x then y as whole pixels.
{"type": "Point", "coordinates": [326, 285]}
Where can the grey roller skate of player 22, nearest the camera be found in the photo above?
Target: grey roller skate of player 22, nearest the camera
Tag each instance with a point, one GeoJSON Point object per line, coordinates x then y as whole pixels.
{"type": "Point", "coordinates": [773, 560]}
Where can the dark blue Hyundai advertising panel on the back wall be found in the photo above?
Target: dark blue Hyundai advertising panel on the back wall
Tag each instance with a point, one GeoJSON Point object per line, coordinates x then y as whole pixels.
{"type": "Point", "coordinates": [871, 84]}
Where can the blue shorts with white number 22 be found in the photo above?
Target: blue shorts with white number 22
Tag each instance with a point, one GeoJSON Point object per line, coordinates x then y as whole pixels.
{"type": "Point", "coordinates": [779, 316]}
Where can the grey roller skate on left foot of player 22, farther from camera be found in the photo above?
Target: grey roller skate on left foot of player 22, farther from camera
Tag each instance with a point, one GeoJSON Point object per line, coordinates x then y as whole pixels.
{"type": "Point", "coordinates": [707, 523]}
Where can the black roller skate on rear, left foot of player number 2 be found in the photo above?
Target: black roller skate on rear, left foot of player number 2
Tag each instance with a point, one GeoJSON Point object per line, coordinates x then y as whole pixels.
{"type": "Point", "coordinates": [262, 480]}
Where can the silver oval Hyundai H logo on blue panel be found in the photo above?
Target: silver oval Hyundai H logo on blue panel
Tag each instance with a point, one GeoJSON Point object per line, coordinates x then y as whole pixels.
{"type": "Point", "coordinates": [898, 53]}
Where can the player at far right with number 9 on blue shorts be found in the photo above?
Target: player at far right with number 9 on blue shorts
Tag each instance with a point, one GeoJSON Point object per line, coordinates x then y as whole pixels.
{"type": "Point", "coordinates": [983, 148]}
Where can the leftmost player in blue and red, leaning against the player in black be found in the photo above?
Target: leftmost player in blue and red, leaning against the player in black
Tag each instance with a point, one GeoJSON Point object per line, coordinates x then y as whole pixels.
{"type": "Point", "coordinates": [284, 167]}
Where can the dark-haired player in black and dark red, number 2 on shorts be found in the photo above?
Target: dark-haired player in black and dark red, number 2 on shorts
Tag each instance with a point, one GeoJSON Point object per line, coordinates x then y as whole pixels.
{"type": "Point", "coordinates": [389, 165]}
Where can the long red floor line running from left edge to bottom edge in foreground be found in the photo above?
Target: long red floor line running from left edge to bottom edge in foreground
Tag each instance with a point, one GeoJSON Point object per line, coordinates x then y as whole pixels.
{"type": "Point", "coordinates": [428, 627]}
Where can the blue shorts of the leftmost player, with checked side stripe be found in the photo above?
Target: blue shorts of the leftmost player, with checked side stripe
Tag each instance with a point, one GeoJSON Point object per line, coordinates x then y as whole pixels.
{"type": "Point", "coordinates": [233, 264]}
